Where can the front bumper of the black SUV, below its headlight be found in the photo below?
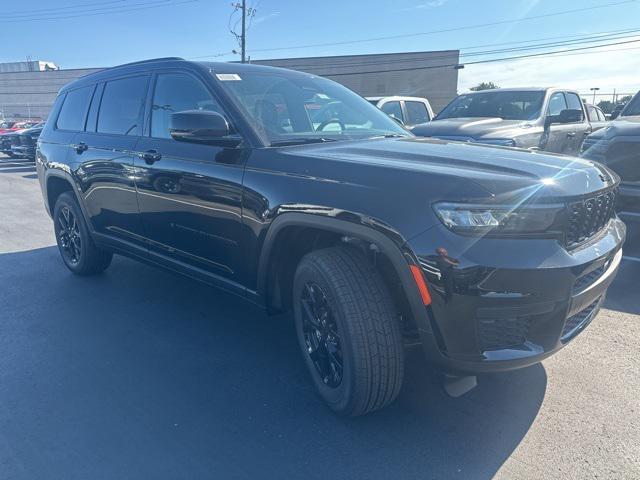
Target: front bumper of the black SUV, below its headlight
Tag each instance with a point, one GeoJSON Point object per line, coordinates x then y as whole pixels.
{"type": "Point", "coordinates": [501, 304]}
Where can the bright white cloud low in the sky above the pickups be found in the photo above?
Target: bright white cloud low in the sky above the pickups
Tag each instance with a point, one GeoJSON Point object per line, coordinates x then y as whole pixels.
{"type": "Point", "coordinates": [608, 68]}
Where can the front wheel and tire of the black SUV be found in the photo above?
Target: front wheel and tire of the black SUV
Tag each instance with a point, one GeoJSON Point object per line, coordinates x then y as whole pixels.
{"type": "Point", "coordinates": [348, 331]}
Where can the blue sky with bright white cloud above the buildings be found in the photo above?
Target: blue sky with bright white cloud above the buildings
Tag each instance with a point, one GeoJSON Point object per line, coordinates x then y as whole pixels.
{"type": "Point", "coordinates": [195, 28]}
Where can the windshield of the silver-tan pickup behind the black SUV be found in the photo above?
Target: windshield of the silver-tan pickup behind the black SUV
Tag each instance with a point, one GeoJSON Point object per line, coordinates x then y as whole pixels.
{"type": "Point", "coordinates": [525, 105]}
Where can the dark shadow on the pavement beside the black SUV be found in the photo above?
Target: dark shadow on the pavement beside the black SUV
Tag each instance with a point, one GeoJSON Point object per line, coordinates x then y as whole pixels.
{"type": "Point", "coordinates": [138, 373]}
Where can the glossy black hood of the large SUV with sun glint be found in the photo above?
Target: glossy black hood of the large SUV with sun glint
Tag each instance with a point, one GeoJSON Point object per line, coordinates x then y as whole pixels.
{"type": "Point", "coordinates": [498, 171]}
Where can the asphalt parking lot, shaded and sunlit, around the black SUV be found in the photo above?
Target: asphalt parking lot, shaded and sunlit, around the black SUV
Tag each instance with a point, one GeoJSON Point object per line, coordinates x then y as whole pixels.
{"type": "Point", "coordinates": [141, 374]}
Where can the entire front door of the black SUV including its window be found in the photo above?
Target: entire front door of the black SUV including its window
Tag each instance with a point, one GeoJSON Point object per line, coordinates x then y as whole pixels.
{"type": "Point", "coordinates": [190, 194]}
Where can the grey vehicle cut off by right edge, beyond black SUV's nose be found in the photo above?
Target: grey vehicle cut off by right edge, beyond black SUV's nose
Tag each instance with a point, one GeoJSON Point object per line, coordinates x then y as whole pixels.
{"type": "Point", "coordinates": [618, 147]}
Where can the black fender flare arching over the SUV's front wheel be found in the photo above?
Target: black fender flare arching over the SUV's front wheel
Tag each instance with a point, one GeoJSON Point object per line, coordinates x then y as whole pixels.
{"type": "Point", "coordinates": [394, 249]}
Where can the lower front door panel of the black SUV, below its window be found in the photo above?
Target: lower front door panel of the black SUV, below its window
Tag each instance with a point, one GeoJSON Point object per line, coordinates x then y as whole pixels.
{"type": "Point", "coordinates": [190, 201]}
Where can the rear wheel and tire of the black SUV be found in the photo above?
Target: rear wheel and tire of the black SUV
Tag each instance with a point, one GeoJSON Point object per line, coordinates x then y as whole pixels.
{"type": "Point", "coordinates": [76, 246]}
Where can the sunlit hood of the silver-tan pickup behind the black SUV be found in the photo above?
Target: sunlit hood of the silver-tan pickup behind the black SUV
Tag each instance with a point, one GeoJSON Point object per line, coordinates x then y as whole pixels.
{"type": "Point", "coordinates": [470, 128]}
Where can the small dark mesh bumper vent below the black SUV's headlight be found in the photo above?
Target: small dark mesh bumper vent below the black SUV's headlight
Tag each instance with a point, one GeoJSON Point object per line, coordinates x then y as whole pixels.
{"type": "Point", "coordinates": [500, 333]}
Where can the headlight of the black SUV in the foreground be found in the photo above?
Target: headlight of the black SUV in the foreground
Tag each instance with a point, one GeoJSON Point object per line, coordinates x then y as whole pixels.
{"type": "Point", "coordinates": [497, 219]}
